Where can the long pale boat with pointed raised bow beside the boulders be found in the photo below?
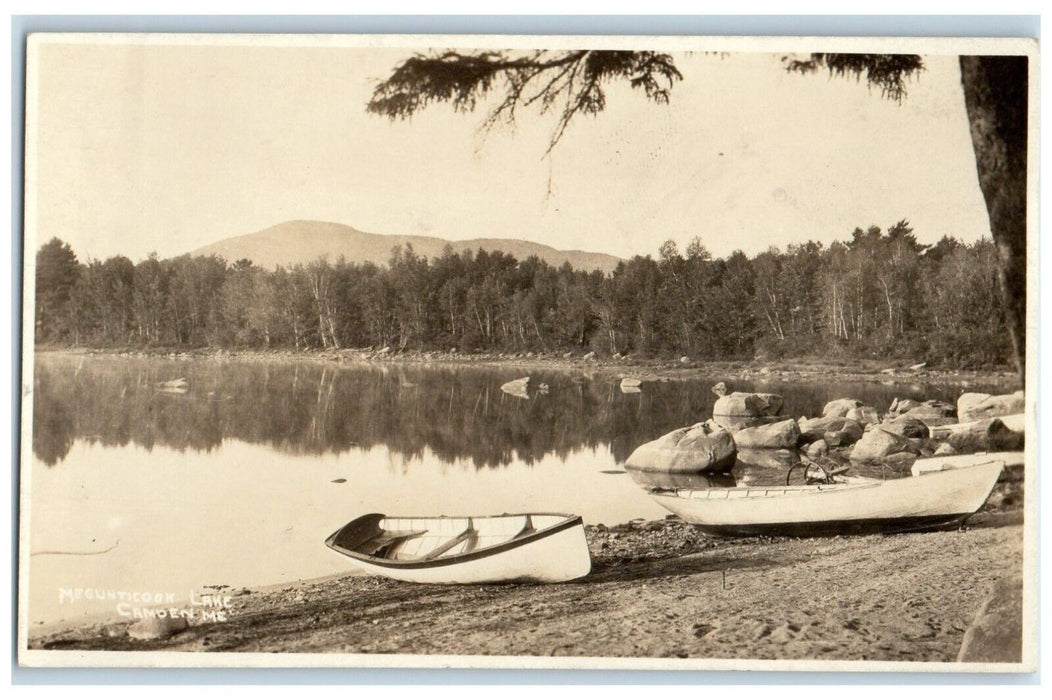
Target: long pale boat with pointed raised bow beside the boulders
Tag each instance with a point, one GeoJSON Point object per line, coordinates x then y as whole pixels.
{"type": "Point", "coordinates": [847, 507]}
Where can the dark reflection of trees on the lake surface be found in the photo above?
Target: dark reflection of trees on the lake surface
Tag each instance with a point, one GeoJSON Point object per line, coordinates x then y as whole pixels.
{"type": "Point", "coordinates": [313, 409]}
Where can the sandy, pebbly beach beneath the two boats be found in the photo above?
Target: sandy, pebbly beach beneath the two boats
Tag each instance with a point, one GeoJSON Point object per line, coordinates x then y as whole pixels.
{"type": "Point", "coordinates": [658, 589]}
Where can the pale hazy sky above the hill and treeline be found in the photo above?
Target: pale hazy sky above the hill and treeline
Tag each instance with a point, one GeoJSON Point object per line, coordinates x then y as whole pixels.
{"type": "Point", "coordinates": [167, 149]}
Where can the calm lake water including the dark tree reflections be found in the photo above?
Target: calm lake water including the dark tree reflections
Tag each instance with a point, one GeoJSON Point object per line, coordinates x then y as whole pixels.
{"type": "Point", "coordinates": [238, 481]}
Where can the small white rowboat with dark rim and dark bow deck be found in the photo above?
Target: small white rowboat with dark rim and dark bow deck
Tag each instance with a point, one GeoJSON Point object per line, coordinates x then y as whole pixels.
{"type": "Point", "coordinates": [536, 547]}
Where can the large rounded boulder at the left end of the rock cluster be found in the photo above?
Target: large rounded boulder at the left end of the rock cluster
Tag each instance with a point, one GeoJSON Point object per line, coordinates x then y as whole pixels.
{"type": "Point", "coordinates": [703, 448]}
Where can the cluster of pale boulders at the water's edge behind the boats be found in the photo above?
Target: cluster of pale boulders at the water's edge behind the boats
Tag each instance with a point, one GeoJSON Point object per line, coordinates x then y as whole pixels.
{"type": "Point", "coordinates": [909, 429]}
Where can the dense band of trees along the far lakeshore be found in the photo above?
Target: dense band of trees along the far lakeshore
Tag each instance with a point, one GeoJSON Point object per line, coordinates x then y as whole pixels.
{"type": "Point", "coordinates": [877, 295]}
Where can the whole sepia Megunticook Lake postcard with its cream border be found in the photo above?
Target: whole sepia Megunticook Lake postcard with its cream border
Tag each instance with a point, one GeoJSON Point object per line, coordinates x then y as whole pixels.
{"type": "Point", "coordinates": [530, 352]}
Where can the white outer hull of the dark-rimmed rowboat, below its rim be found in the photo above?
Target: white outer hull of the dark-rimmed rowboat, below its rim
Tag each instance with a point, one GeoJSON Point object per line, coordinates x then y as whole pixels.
{"type": "Point", "coordinates": [558, 555]}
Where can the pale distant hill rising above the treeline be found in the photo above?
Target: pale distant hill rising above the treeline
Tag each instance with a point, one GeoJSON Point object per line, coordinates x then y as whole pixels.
{"type": "Point", "coordinates": [294, 243]}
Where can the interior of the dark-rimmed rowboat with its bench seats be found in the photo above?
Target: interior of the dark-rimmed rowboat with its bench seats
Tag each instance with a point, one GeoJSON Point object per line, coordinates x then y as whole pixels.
{"type": "Point", "coordinates": [424, 539]}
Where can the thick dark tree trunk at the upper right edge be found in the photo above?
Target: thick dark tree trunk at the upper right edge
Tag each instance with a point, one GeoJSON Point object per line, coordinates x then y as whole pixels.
{"type": "Point", "coordinates": [996, 98]}
